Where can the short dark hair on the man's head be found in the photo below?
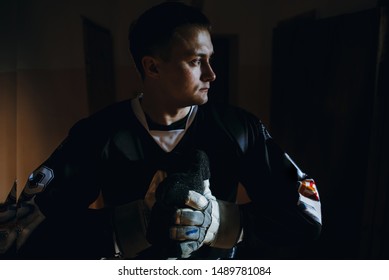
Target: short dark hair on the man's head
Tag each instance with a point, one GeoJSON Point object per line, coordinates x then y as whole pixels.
{"type": "Point", "coordinates": [152, 32]}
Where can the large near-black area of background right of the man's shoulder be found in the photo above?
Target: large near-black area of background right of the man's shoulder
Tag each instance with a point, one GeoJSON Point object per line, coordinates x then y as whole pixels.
{"type": "Point", "coordinates": [328, 110]}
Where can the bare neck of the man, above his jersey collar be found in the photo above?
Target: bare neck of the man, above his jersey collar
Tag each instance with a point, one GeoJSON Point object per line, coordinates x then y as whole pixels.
{"type": "Point", "coordinates": [160, 113]}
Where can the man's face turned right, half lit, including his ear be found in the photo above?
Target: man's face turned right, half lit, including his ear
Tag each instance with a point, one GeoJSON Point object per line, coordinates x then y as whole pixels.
{"type": "Point", "coordinates": [186, 75]}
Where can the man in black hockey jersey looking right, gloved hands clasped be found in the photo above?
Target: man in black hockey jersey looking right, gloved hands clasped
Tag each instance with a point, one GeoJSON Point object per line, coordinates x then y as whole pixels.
{"type": "Point", "coordinates": [126, 151]}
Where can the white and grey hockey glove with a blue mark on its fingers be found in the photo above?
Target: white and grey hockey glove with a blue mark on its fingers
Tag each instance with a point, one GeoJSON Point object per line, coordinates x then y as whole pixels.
{"type": "Point", "coordinates": [206, 221]}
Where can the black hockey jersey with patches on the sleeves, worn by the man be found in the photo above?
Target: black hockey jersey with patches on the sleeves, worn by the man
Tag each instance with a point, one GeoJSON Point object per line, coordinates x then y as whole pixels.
{"type": "Point", "coordinates": [111, 153]}
